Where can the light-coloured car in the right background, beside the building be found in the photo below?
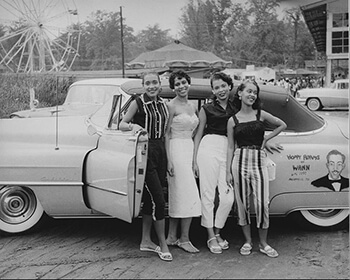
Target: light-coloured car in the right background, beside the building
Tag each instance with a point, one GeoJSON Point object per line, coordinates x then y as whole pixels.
{"type": "Point", "coordinates": [335, 96]}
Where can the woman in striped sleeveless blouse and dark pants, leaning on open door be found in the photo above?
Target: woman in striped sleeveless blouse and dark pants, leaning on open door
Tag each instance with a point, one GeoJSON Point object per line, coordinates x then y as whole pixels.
{"type": "Point", "coordinates": [150, 112]}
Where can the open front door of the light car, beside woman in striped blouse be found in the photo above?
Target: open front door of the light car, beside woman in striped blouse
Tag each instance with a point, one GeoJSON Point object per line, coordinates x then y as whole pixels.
{"type": "Point", "coordinates": [115, 172]}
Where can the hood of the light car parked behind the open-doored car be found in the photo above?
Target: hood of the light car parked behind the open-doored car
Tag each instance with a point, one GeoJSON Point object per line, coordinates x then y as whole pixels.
{"type": "Point", "coordinates": [63, 110]}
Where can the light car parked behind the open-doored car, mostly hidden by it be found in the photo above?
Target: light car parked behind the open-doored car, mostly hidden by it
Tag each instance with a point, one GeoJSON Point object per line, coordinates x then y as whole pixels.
{"type": "Point", "coordinates": [83, 97]}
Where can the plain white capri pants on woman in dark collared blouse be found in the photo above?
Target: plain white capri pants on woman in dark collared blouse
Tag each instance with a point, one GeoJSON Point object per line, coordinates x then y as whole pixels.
{"type": "Point", "coordinates": [211, 160]}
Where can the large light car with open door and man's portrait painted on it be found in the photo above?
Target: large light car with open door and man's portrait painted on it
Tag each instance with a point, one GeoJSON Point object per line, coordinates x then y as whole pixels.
{"type": "Point", "coordinates": [85, 167]}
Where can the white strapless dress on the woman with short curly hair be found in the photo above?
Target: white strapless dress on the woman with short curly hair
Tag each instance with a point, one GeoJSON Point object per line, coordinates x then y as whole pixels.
{"type": "Point", "coordinates": [184, 200]}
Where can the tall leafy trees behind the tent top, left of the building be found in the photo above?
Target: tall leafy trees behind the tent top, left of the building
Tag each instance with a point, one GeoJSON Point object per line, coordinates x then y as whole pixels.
{"type": "Point", "coordinates": [245, 34]}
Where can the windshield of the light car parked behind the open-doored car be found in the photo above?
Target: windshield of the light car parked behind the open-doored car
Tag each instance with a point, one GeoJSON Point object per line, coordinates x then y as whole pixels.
{"type": "Point", "coordinates": [90, 94]}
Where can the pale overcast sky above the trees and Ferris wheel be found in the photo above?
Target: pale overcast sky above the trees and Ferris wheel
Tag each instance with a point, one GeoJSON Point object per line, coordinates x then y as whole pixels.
{"type": "Point", "coordinates": [138, 14]}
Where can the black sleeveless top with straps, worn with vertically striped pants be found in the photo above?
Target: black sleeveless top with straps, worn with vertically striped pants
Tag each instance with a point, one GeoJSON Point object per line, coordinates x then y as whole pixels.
{"type": "Point", "coordinates": [249, 133]}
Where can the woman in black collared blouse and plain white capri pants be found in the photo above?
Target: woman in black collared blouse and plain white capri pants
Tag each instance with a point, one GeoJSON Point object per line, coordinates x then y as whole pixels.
{"type": "Point", "coordinates": [209, 161]}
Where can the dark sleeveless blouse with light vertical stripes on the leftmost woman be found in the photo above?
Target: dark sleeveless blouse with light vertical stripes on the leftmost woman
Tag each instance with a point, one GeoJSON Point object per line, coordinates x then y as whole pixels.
{"type": "Point", "coordinates": [152, 116]}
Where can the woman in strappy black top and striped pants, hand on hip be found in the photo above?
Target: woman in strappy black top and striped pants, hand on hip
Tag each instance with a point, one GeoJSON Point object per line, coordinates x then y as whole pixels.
{"type": "Point", "coordinates": [246, 162]}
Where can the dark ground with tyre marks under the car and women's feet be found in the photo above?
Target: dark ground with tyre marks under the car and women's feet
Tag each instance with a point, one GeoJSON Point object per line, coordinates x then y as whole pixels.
{"type": "Point", "coordinates": [109, 249]}
